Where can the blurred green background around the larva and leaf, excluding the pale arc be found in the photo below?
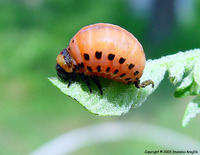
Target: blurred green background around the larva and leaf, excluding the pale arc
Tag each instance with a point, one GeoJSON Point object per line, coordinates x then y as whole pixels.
{"type": "Point", "coordinates": [33, 32]}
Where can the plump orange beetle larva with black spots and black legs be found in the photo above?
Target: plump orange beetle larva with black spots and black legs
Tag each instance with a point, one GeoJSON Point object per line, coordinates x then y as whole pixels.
{"type": "Point", "coordinates": [104, 50]}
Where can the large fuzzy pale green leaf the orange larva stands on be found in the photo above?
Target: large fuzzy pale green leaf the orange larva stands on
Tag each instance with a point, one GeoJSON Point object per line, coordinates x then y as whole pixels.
{"type": "Point", "coordinates": [117, 98]}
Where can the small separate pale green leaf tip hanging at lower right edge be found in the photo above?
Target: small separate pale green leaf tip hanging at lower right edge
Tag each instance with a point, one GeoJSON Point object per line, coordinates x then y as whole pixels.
{"type": "Point", "coordinates": [192, 109]}
